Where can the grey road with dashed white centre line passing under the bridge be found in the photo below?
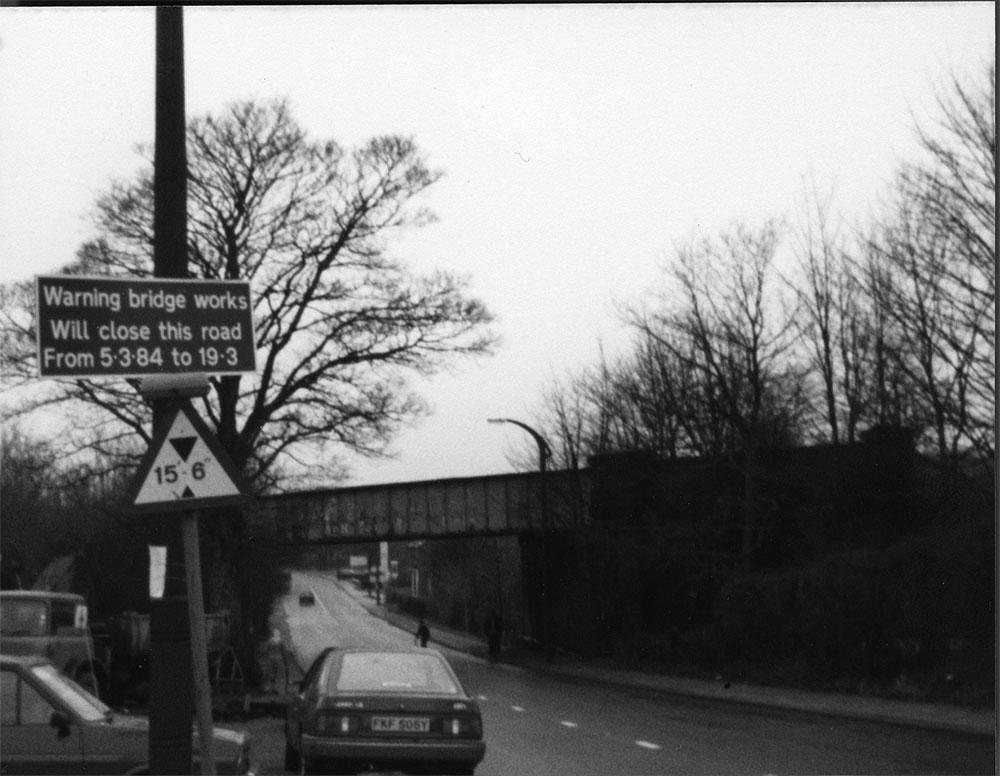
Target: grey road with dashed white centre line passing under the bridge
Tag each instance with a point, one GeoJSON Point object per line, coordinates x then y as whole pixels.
{"type": "Point", "coordinates": [544, 724]}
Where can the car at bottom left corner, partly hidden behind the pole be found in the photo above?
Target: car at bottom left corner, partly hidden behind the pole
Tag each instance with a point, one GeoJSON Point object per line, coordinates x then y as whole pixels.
{"type": "Point", "coordinates": [52, 725]}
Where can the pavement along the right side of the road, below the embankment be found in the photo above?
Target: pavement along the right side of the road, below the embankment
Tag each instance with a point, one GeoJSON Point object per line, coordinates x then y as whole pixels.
{"type": "Point", "coordinates": [938, 716]}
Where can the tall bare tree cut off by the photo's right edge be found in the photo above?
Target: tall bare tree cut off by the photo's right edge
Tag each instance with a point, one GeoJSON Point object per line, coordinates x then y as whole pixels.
{"type": "Point", "coordinates": [933, 265]}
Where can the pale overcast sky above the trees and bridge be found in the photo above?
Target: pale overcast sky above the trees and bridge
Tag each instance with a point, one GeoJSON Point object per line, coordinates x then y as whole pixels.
{"type": "Point", "coordinates": [580, 144]}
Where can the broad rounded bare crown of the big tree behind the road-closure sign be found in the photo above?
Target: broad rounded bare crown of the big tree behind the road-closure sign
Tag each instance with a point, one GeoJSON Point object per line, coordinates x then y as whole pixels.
{"type": "Point", "coordinates": [339, 323]}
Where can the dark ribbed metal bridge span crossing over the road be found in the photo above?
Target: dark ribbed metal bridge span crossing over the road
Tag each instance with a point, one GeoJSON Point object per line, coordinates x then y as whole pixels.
{"type": "Point", "coordinates": [494, 505]}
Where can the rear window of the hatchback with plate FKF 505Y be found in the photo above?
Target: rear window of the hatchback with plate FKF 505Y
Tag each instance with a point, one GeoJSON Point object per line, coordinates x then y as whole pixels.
{"type": "Point", "coordinates": [394, 673]}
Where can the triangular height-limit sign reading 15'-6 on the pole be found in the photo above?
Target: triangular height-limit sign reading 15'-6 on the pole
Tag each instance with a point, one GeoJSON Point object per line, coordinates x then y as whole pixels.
{"type": "Point", "coordinates": [185, 468]}
